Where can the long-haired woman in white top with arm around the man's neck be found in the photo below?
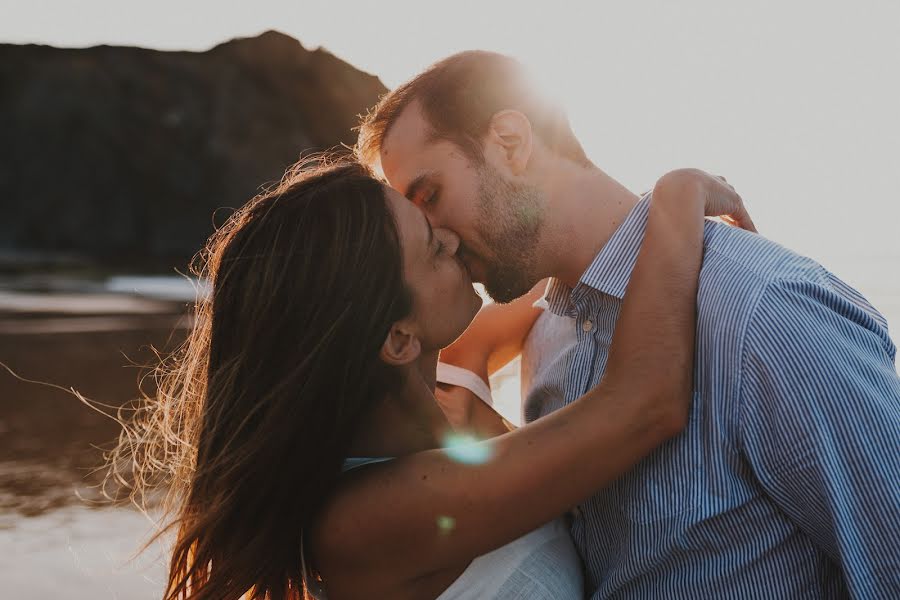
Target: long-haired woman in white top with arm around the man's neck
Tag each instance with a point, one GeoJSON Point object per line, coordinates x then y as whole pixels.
{"type": "Point", "coordinates": [330, 299]}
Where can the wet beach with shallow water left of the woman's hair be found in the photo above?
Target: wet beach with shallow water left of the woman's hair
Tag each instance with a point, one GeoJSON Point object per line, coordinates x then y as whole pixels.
{"type": "Point", "coordinates": [64, 538]}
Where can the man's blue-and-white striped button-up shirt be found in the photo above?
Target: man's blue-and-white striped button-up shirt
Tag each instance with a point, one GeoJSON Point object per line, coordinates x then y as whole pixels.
{"type": "Point", "coordinates": [786, 481]}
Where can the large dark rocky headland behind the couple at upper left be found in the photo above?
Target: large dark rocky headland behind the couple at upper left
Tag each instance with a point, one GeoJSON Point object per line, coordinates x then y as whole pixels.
{"type": "Point", "coordinates": [123, 155]}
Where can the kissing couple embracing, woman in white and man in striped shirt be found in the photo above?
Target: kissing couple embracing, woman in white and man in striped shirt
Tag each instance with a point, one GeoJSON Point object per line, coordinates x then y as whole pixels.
{"type": "Point", "coordinates": [708, 414]}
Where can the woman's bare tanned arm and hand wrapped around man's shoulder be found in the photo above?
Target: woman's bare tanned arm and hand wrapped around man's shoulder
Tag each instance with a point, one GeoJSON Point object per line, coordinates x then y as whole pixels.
{"type": "Point", "coordinates": [386, 522]}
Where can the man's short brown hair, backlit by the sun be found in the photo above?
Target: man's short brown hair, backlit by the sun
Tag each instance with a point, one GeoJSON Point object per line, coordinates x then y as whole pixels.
{"type": "Point", "coordinates": [459, 95]}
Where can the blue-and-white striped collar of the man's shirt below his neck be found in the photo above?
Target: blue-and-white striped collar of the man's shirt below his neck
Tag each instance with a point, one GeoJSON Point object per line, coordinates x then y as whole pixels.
{"type": "Point", "coordinates": [611, 268]}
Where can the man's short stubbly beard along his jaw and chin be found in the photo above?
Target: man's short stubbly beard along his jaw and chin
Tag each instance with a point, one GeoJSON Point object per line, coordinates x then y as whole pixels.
{"type": "Point", "coordinates": [510, 216]}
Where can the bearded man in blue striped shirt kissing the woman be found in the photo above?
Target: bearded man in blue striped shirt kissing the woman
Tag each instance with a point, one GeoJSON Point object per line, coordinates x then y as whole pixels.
{"type": "Point", "coordinates": [785, 482]}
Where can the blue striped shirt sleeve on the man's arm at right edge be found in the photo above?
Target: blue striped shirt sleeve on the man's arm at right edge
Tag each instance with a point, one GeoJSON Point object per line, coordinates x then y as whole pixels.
{"type": "Point", "coordinates": [820, 426]}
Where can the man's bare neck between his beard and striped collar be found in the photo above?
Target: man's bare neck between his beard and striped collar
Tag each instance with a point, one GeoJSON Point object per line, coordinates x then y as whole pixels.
{"type": "Point", "coordinates": [587, 206]}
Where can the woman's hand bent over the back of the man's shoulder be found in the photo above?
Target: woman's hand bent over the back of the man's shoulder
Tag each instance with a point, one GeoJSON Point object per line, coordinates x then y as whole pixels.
{"type": "Point", "coordinates": [719, 197]}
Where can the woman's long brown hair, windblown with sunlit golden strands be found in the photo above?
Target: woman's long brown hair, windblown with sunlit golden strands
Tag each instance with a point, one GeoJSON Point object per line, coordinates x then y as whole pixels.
{"type": "Point", "coordinates": [255, 413]}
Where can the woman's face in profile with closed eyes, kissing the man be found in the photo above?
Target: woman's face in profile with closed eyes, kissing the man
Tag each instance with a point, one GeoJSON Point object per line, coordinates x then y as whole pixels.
{"type": "Point", "coordinates": [444, 301]}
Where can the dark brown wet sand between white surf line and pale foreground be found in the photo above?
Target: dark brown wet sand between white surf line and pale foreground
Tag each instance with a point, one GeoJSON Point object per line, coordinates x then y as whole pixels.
{"type": "Point", "coordinates": [50, 439]}
